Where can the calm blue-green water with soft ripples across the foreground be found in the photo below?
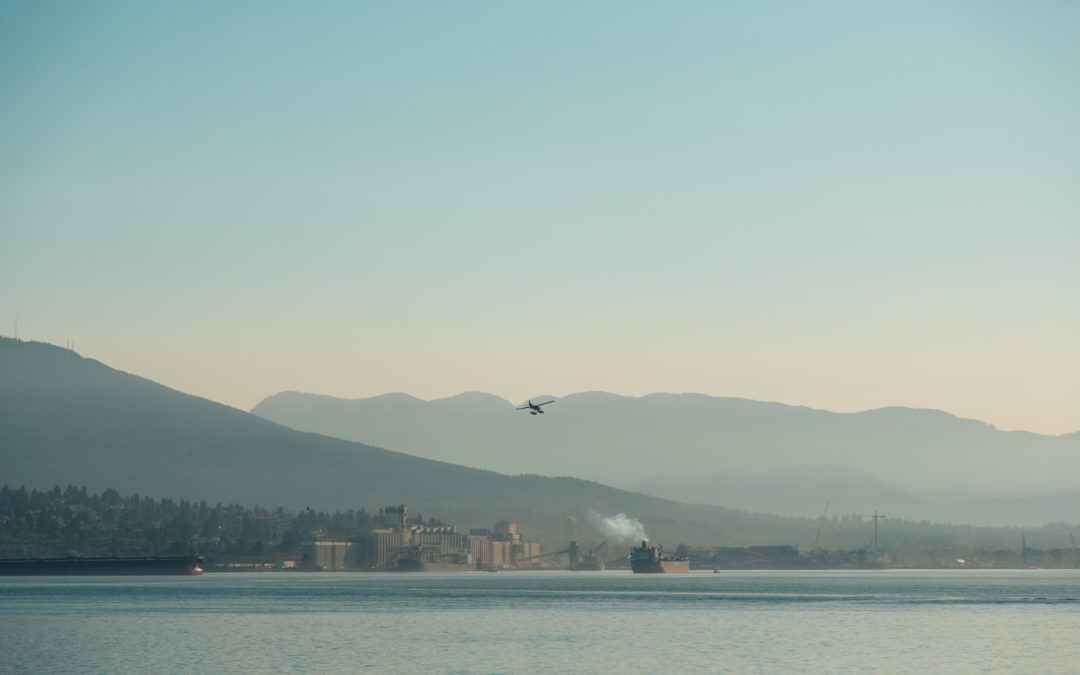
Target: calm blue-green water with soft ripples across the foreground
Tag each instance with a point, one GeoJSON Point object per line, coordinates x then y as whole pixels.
{"type": "Point", "coordinates": [962, 622]}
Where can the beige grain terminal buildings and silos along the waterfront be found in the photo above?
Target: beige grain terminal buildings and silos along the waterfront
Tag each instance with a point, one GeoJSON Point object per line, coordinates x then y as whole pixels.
{"type": "Point", "coordinates": [403, 546]}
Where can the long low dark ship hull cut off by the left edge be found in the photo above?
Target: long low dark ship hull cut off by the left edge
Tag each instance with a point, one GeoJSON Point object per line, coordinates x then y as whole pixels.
{"type": "Point", "coordinates": [102, 566]}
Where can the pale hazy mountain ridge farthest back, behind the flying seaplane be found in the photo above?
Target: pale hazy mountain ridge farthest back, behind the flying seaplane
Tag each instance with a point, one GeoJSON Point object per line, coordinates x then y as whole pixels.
{"type": "Point", "coordinates": [622, 440]}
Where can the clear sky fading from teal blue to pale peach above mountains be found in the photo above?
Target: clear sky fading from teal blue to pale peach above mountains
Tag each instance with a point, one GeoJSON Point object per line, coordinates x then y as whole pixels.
{"type": "Point", "coordinates": [845, 206]}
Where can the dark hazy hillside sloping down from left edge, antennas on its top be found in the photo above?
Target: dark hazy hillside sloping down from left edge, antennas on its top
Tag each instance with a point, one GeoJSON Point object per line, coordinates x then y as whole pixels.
{"type": "Point", "coordinates": [67, 420]}
